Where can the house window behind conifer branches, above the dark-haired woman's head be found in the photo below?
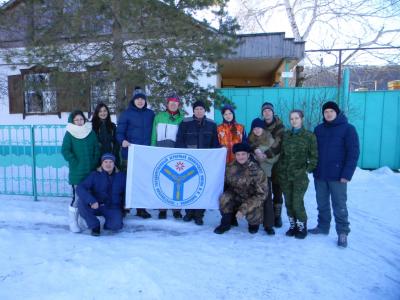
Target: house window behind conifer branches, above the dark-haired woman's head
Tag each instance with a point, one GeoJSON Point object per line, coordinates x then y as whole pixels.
{"type": "Point", "coordinates": [102, 89]}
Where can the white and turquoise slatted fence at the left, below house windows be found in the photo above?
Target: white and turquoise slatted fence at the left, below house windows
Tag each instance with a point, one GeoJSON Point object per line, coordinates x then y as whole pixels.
{"type": "Point", "coordinates": [31, 162]}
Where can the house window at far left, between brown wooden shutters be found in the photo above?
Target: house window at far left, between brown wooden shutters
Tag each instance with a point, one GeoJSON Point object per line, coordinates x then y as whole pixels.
{"type": "Point", "coordinates": [39, 94]}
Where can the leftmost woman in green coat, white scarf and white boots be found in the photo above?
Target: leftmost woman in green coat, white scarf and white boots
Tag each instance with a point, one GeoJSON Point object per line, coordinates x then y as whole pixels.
{"type": "Point", "coordinates": [80, 149]}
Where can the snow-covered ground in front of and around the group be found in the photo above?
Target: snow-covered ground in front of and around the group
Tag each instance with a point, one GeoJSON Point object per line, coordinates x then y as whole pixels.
{"type": "Point", "coordinates": [168, 259]}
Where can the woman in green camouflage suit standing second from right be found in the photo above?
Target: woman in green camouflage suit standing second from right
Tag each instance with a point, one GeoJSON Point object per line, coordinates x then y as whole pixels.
{"type": "Point", "coordinates": [299, 156]}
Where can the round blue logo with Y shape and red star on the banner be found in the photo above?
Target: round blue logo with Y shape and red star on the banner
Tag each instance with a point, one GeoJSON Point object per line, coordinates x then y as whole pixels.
{"type": "Point", "coordinates": [179, 179]}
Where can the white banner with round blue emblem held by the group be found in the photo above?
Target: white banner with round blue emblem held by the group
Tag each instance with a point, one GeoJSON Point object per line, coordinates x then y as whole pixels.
{"type": "Point", "coordinates": [160, 177]}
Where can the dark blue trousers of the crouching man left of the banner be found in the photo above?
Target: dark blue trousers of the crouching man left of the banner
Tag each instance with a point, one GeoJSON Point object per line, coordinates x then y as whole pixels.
{"type": "Point", "coordinates": [113, 216]}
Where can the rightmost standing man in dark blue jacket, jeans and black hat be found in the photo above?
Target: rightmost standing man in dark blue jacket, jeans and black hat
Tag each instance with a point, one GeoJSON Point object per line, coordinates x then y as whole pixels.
{"type": "Point", "coordinates": [338, 152]}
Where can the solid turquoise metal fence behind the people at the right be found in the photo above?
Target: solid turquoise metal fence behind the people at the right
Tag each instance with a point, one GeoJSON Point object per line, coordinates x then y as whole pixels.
{"type": "Point", "coordinates": [376, 115]}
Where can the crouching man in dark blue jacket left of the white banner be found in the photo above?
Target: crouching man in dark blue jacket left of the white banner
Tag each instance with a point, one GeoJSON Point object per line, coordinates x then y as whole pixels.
{"type": "Point", "coordinates": [101, 194]}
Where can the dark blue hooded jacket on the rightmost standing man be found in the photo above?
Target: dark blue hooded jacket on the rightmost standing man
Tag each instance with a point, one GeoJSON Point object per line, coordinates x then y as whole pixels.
{"type": "Point", "coordinates": [338, 149]}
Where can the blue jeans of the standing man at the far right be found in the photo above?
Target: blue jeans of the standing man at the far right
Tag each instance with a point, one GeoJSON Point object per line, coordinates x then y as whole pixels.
{"type": "Point", "coordinates": [337, 192]}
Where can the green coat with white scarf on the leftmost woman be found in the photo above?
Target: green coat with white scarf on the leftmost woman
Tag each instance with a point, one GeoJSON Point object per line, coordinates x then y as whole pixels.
{"type": "Point", "coordinates": [80, 149]}
